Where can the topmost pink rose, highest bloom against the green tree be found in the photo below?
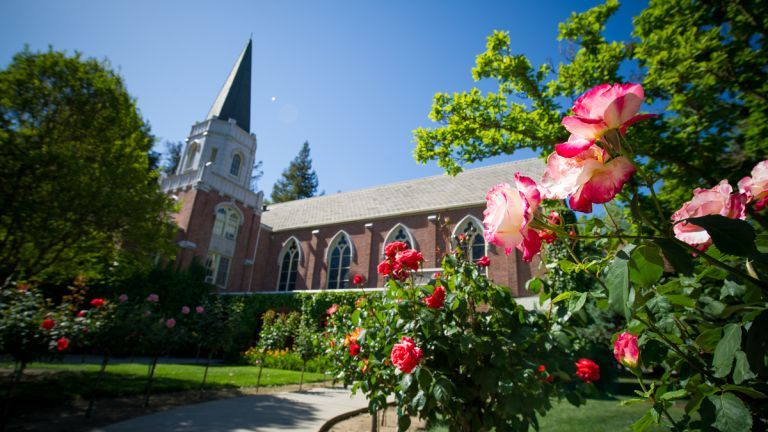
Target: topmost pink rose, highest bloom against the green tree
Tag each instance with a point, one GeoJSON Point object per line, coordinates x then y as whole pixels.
{"type": "Point", "coordinates": [601, 109]}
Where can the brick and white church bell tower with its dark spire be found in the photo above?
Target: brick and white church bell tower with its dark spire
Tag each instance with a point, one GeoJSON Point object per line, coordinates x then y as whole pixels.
{"type": "Point", "coordinates": [219, 214]}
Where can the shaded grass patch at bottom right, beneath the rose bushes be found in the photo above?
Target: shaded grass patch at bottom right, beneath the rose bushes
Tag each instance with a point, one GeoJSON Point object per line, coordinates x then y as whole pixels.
{"type": "Point", "coordinates": [598, 415]}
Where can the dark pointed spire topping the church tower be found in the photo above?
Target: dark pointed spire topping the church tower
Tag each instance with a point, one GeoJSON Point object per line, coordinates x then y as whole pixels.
{"type": "Point", "coordinates": [234, 99]}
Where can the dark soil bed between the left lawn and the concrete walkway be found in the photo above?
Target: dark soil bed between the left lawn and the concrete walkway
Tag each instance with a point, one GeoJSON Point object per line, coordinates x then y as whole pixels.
{"type": "Point", "coordinates": [71, 417]}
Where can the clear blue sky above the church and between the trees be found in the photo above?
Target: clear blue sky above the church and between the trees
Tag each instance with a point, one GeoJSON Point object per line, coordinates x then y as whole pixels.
{"type": "Point", "coordinates": [353, 78]}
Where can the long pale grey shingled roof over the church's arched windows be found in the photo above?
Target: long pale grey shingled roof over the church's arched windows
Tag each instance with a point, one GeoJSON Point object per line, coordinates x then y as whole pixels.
{"type": "Point", "coordinates": [409, 197]}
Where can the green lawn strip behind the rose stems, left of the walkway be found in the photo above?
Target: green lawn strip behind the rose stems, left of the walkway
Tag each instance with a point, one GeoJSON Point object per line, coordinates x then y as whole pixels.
{"type": "Point", "coordinates": [73, 380]}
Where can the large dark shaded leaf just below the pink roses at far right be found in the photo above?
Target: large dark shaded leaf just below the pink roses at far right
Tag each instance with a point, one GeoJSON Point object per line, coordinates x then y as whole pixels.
{"type": "Point", "coordinates": [731, 236]}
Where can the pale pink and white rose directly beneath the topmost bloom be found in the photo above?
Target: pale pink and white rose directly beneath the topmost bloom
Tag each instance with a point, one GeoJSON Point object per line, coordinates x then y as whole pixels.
{"type": "Point", "coordinates": [591, 177]}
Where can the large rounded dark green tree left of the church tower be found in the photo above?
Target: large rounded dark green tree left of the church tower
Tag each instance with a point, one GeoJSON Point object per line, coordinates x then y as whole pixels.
{"type": "Point", "coordinates": [78, 192]}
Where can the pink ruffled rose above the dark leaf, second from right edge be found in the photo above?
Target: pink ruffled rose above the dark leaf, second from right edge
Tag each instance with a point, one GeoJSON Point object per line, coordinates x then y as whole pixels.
{"type": "Point", "coordinates": [716, 201]}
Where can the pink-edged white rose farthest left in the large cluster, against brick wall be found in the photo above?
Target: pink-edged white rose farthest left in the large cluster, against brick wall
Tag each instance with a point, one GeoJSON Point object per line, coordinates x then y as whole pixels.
{"type": "Point", "coordinates": [508, 213]}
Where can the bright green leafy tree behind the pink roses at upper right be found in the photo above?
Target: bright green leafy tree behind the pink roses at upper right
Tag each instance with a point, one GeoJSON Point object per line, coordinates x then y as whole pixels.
{"type": "Point", "coordinates": [702, 63]}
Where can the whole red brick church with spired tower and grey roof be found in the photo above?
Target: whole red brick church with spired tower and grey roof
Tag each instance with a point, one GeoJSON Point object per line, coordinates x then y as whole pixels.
{"type": "Point", "coordinates": [321, 242]}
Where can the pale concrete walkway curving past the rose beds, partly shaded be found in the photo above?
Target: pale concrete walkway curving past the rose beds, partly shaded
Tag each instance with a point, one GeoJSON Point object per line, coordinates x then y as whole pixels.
{"type": "Point", "coordinates": [298, 411]}
